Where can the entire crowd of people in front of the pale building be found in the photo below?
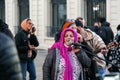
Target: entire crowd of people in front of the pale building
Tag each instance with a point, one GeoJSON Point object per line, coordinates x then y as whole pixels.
{"type": "Point", "coordinates": [78, 52]}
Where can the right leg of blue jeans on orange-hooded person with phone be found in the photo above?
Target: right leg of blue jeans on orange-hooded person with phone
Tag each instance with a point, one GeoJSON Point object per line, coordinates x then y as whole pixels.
{"type": "Point", "coordinates": [31, 69]}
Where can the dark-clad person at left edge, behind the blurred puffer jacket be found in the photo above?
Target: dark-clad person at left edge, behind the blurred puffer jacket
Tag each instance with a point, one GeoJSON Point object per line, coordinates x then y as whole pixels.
{"type": "Point", "coordinates": [4, 29]}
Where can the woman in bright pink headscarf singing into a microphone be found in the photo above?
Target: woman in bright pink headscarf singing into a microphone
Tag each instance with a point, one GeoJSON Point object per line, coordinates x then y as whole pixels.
{"type": "Point", "coordinates": [64, 61]}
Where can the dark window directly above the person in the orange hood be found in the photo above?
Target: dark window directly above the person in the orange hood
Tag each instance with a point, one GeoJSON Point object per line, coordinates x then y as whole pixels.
{"type": "Point", "coordinates": [23, 9]}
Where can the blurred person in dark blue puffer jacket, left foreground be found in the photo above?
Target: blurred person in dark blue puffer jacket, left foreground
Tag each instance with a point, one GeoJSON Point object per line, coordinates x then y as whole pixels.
{"type": "Point", "coordinates": [9, 62]}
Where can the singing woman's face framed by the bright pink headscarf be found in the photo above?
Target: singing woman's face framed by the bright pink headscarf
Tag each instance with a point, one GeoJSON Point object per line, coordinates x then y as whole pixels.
{"type": "Point", "coordinates": [68, 36]}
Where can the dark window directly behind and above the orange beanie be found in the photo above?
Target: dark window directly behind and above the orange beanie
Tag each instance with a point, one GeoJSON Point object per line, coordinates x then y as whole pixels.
{"type": "Point", "coordinates": [58, 16]}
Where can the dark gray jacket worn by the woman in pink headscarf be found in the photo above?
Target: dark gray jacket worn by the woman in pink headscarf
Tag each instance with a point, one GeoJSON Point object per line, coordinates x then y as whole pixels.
{"type": "Point", "coordinates": [51, 63]}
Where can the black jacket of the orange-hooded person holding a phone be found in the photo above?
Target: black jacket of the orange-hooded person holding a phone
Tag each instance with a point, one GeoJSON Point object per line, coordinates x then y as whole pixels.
{"type": "Point", "coordinates": [21, 40]}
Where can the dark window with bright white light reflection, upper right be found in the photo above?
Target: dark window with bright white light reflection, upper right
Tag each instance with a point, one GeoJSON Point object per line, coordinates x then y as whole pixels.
{"type": "Point", "coordinates": [95, 10]}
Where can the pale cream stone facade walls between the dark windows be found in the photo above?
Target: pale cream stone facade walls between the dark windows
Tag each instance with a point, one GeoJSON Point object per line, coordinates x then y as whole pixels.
{"type": "Point", "coordinates": [40, 11]}
